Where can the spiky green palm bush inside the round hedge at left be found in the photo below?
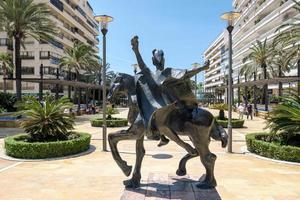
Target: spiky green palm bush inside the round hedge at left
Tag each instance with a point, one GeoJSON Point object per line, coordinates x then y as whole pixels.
{"type": "Point", "coordinates": [47, 121]}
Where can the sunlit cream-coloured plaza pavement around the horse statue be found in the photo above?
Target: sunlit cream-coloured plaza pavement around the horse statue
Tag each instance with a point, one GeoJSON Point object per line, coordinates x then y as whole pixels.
{"type": "Point", "coordinates": [97, 176]}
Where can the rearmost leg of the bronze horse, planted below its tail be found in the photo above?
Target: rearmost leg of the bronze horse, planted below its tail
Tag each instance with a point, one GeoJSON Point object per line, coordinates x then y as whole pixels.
{"type": "Point", "coordinates": [201, 138]}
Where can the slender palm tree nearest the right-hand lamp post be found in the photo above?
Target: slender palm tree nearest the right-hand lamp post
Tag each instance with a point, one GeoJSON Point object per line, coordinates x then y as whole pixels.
{"type": "Point", "coordinates": [260, 55]}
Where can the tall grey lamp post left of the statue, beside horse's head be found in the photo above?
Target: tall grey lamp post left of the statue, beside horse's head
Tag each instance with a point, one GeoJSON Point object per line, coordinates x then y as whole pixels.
{"type": "Point", "coordinates": [104, 20]}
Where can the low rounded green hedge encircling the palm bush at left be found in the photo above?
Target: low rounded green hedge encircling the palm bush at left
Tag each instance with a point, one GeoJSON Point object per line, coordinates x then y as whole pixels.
{"type": "Point", "coordinates": [17, 147]}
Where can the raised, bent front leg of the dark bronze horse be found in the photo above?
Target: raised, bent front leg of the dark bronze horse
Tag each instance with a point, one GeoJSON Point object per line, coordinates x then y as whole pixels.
{"type": "Point", "coordinates": [134, 132]}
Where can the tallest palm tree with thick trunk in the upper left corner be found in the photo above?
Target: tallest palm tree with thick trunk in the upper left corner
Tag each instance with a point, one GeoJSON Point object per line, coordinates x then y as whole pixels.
{"type": "Point", "coordinates": [21, 19]}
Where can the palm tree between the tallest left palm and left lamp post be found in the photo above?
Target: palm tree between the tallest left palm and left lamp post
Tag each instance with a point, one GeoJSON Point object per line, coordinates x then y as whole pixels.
{"type": "Point", "coordinates": [79, 57]}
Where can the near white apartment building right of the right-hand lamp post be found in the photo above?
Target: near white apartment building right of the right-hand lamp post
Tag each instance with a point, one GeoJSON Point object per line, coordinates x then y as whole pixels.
{"type": "Point", "coordinates": [259, 20]}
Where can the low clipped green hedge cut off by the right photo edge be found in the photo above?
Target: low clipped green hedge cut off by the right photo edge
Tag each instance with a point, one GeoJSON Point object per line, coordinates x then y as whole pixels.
{"type": "Point", "coordinates": [271, 150]}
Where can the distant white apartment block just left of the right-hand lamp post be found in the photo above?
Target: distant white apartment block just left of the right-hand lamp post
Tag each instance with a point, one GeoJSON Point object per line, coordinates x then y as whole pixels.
{"type": "Point", "coordinates": [214, 77]}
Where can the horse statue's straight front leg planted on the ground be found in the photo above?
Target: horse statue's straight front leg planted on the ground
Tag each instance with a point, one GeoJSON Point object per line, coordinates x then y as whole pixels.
{"type": "Point", "coordinates": [134, 182]}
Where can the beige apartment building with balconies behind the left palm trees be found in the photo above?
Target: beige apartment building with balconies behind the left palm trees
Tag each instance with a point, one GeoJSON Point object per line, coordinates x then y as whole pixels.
{"type": "Point", "coordinates": [75, 21]}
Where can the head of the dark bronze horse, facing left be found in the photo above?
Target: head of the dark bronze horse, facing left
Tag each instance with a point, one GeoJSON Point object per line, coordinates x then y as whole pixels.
{"type": "Point", "coordinates": [122, 84]}
